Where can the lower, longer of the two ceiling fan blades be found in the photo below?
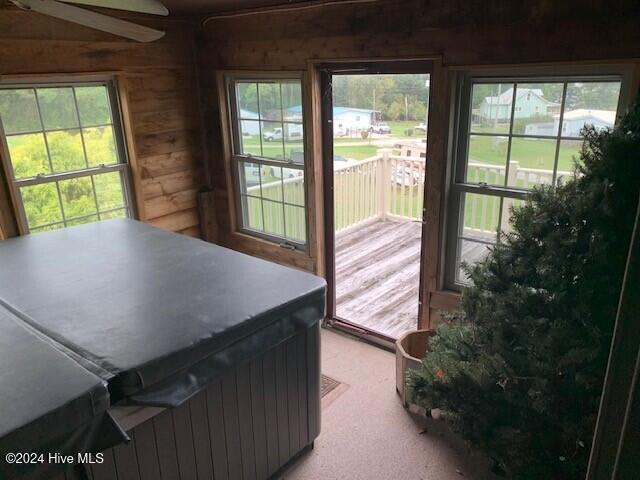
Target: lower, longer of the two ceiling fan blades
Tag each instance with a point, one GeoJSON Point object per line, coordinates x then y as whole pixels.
{"type": "Point", "coordinates": [92, 19]}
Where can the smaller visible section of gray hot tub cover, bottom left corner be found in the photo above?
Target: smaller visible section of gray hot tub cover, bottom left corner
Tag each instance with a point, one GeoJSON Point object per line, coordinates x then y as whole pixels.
{"type": "Point", "coordinates": [49, 403]}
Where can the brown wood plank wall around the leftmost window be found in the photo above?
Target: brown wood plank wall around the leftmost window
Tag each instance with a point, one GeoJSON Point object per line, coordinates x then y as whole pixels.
{"type": "Point", "coordinates": [158, 90]}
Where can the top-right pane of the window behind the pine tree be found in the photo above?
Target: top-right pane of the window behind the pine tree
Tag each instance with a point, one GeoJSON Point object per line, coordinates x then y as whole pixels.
{"type": "Point", "coordinates": [590, 103]}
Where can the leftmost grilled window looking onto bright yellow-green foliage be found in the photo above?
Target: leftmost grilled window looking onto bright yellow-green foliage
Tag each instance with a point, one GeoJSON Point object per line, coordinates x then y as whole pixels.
{"type": "Point", "coordinates": [64, 154]}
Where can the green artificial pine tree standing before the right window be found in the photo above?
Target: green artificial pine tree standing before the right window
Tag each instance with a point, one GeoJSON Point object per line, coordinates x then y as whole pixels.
{"type": "Point", "coordinates": [519, 370]}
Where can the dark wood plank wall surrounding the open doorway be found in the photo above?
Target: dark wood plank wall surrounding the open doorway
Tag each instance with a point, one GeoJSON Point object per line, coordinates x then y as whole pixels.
{"type": "Point", "coordinates": [457, 33]}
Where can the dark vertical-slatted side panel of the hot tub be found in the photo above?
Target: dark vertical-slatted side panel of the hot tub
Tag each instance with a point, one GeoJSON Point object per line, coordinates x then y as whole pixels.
{"type": "Point", "coordinates": [248, 424]}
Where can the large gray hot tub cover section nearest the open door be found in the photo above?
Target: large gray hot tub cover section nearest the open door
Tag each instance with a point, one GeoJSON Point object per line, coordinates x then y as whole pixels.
{"type": "Point", "coordinates": [158, 315]}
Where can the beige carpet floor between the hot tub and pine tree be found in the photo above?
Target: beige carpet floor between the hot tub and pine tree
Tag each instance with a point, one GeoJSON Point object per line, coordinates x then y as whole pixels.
{"type": "Point", "coordinates": [366, 434]}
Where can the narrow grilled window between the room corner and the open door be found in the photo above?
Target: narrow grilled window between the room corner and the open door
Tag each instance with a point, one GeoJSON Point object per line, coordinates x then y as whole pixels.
{"type": "Point", "coordinates": [268, 157]}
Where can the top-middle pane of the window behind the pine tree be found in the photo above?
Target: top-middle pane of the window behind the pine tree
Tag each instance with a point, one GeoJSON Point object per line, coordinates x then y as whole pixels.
{"type": "Point", "coordinates": [537, 108]}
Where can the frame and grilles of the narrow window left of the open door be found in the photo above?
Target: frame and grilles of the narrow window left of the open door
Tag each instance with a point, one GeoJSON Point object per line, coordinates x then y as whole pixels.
{"type": "Point", "coordinates": [235, 155]}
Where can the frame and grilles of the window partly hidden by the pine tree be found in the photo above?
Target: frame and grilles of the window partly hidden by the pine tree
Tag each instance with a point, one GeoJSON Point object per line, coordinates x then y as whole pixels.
{"type": "Point", "coordinates": [460, 131]}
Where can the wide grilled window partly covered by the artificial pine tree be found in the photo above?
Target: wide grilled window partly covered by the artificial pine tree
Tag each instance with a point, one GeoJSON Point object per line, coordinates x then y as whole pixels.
{"type": "Point", "coordinates": [505, 148]}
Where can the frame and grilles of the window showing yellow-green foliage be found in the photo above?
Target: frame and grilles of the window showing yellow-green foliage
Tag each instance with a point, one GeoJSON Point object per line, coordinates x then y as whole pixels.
{"type": "Point", "coordinates": [123, 167]}
